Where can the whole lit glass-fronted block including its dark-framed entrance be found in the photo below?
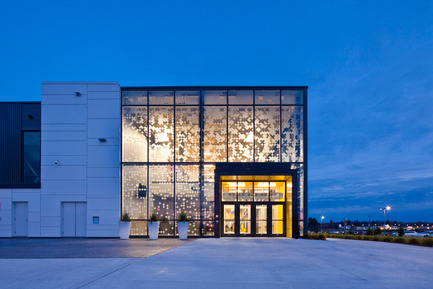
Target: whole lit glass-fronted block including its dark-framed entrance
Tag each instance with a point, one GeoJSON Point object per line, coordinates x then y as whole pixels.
{"type": "Point", "coordinates": [233, 159]}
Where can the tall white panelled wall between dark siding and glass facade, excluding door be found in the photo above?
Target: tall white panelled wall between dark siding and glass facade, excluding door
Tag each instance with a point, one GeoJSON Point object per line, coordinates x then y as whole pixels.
{"type": "Point", "coordinates": [87, 170]}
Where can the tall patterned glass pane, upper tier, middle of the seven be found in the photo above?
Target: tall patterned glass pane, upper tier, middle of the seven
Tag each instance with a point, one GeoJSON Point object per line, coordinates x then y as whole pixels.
{"type": "Point", "coordinates": [215, 134]}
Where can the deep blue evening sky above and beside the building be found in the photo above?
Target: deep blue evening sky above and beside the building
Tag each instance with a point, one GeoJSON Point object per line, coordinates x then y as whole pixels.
{"type": "Point", "coordinates": [368, 65]}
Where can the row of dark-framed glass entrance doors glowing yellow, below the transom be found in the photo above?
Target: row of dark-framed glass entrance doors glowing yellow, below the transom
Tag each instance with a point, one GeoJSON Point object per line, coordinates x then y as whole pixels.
{"type": "Point", "coordinates": [253, 219]}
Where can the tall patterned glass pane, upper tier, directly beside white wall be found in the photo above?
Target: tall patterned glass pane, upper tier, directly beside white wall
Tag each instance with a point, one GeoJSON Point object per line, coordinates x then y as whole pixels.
{"type": "Point", "coordinates": [134, 134]}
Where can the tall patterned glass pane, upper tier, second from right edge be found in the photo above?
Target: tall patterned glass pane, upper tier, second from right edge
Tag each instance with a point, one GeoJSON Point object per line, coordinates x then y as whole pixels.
{"type": "Point", "coordinates": [267, 133]}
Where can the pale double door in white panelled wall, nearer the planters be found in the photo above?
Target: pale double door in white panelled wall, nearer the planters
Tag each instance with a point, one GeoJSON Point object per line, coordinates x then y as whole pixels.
{"type": "Point", "coordinates": [74, 219]}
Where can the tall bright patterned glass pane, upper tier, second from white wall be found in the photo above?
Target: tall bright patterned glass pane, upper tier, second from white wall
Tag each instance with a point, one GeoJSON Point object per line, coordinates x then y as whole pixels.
{"type": "Point", "coordinates": [161, 126]}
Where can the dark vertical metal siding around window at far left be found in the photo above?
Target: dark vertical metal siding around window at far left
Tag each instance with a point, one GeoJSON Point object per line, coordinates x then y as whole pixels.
{"type": "Point", "coordinates": [12, 124]}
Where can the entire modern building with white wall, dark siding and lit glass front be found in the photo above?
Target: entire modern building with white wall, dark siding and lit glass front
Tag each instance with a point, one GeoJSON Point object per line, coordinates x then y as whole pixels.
{"type": "Point", "coordinates": [234, 159]}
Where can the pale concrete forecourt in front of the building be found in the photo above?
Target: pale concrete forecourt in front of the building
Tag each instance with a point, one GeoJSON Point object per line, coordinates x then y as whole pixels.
{"type": "Point", "coordinates": [223, 263]}
